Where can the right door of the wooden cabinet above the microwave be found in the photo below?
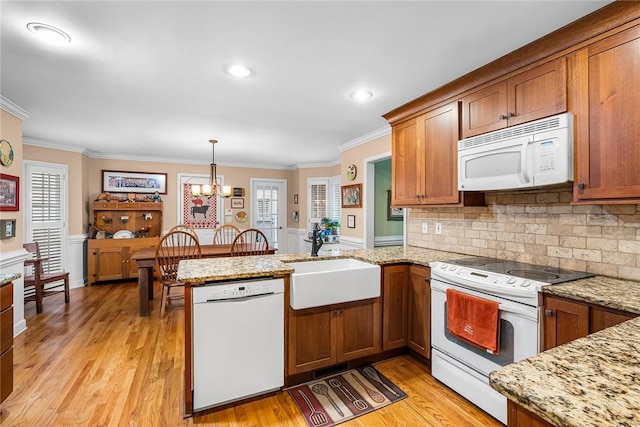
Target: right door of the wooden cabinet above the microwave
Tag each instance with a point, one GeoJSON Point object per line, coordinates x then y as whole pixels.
{"type": "Point", "coordinates": [539, 92]}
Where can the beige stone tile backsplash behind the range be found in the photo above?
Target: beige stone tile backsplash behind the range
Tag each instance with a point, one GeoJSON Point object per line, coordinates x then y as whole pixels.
{"type": "Point", "coordinates": [538, 227]}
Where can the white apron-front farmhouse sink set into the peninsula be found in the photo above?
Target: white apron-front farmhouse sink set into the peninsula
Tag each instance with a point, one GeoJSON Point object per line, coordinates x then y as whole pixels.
{"type": "Point", "coordinates": [324, 282]}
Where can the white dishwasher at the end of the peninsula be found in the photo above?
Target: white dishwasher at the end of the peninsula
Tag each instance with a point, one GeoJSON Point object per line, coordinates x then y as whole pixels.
{"type": "Point", "coordinates": [238, 340]}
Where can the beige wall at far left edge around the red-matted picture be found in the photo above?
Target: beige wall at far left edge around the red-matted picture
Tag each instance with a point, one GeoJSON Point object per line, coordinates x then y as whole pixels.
{"type": "Point", "coordinates": [11, 130]}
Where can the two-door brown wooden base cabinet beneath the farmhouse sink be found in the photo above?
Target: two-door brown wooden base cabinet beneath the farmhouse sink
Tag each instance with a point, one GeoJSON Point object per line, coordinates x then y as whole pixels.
{"type": "Point", "coordinates": [323, 336]}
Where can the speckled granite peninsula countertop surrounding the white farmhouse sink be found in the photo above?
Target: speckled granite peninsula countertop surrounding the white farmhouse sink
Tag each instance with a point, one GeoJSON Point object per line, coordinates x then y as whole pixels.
{"type": "Point", "coordinates": [230, 268]}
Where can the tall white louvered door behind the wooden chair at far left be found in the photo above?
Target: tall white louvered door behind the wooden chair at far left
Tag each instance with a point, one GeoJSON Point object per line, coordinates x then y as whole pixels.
{"type": "Point", "coordinates": [46, 213]}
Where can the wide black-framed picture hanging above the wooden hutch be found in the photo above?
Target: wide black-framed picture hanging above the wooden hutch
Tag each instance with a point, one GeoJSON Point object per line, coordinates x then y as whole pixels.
{"type": "Point", "coordinates": [134, 182]}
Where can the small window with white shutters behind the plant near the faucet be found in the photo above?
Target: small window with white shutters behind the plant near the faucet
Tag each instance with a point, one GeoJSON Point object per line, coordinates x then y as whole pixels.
{"type": "Point", "coordinates": [323, 199]}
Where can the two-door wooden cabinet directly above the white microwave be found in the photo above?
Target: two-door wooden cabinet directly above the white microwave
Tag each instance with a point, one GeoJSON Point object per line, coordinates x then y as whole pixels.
{"type": "Point", "coordinates": [533, 94]}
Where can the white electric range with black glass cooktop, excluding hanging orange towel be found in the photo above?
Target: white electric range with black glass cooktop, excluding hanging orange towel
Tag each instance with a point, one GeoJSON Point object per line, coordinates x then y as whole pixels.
{"type": "Point", "coordinates": [516, 287]}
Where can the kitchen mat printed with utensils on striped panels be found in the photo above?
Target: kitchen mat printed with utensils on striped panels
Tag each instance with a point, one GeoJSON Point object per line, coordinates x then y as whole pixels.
{"type": "Point", "coordinates": [332, 400]}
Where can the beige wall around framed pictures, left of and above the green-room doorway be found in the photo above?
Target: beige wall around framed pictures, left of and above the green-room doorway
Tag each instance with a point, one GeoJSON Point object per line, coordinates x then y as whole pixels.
{"type": "Point", "coordinates": [356, 156]}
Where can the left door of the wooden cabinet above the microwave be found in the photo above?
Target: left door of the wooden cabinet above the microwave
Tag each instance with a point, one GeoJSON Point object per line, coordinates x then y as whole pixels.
{"type": "Point", "coordinates": [484, 111]}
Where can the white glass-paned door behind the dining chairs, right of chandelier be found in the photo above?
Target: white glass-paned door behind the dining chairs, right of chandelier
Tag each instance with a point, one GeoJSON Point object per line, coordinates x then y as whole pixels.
{"type": "Point", "coordinates": [269, 207]}
